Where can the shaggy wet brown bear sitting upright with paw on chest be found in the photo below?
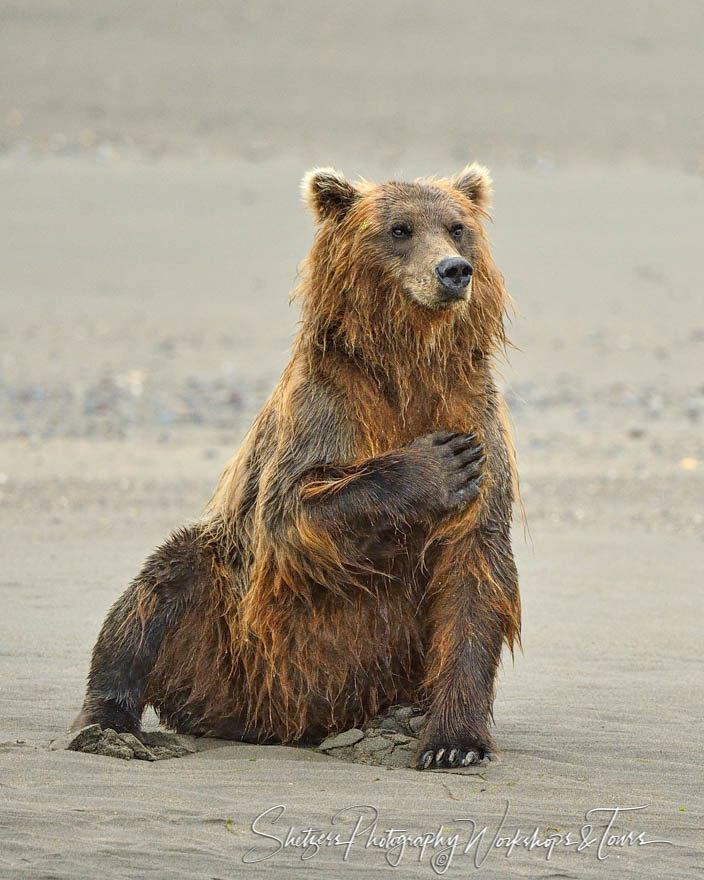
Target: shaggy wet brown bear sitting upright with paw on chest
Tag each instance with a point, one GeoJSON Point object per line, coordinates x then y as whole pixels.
{"type": "Point", "coordinates": [356, 552]}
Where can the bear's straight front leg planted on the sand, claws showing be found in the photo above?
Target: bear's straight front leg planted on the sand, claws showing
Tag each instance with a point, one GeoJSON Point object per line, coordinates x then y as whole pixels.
{"type": "Point", "coordinates": [473, 606]}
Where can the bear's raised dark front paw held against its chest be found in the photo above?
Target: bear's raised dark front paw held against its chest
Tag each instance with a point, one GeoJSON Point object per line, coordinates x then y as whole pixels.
{"type": "Point", "coordinates": [459, 460]}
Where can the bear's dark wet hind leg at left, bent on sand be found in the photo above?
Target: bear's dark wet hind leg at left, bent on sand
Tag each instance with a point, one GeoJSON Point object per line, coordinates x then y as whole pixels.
{"type": "Point", "coordinates": [133, 632]}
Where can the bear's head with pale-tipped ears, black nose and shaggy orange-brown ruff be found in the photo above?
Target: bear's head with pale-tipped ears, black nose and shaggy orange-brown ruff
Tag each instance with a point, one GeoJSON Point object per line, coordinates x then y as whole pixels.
{"type": "Point", "coordinates": [402, 263]}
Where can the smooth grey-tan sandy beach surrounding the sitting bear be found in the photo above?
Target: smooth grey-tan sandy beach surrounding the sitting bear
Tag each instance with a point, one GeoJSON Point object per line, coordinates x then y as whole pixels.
{"type": "Point", "coordinates": [150, 232]}
